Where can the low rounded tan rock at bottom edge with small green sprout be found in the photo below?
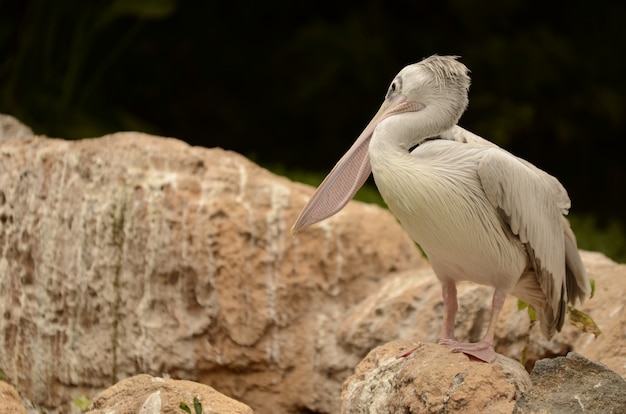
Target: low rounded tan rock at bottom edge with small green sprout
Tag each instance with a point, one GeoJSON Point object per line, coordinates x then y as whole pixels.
{"type": "Point", "coordinates": [153, 395]}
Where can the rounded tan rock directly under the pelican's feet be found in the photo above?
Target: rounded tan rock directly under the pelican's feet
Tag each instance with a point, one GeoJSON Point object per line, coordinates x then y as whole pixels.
{"type": "Point", "coordinates": [432, 379]}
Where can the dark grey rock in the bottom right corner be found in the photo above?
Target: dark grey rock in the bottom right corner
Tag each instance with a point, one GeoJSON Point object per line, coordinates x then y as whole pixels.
{"type": "Point", "coordinates": [573, 384]}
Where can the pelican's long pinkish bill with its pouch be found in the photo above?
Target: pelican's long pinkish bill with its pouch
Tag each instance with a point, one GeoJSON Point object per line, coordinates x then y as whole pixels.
{"type": "Point", "coordinates": [351, 172]}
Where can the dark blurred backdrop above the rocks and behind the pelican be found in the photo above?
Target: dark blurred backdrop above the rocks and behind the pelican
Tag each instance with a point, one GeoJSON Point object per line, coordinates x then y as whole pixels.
{"type": "Point", "coordinates": [292, 84]}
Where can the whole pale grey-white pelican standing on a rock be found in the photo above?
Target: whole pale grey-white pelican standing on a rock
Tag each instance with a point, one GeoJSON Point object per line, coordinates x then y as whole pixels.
{"type": "Point", "coordinates": [479, 213]}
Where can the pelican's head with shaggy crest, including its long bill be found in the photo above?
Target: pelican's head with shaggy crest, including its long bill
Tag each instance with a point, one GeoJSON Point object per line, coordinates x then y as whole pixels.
{"type": "Point", "coordinates": [430, 95]}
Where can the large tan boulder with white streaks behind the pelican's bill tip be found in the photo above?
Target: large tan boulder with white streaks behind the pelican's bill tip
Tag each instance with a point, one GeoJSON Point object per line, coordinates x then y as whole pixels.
{"type": "Point", "coordinates": [134, 254]}
